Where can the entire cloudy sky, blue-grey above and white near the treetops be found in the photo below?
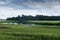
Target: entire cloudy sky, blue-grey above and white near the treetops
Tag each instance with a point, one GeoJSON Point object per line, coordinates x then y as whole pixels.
{"type": "Point", "coordinates": [13, 8]}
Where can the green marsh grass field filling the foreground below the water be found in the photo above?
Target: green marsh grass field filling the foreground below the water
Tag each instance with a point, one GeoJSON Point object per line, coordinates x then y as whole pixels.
{"type": "Point", "coordinates": [29, 32]}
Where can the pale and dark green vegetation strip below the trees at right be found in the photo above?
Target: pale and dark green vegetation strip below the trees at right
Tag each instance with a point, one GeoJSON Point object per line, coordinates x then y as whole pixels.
{"type": "Point", "coordinates": [55, 23]}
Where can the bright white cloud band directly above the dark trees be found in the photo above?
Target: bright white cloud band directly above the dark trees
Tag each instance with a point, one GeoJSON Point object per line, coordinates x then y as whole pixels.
{"type": "Point", "coordinates": [11, 12]}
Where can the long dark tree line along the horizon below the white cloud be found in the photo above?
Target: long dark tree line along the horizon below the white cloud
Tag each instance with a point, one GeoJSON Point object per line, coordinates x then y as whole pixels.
{"type": "Point", "coordinates": [37, 17]}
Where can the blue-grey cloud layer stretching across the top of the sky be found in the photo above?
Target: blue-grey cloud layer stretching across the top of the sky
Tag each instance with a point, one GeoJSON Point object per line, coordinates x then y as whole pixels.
{"type": "Point", "coordinates": [32, 4]}
